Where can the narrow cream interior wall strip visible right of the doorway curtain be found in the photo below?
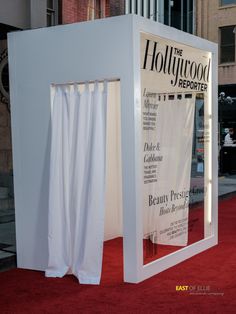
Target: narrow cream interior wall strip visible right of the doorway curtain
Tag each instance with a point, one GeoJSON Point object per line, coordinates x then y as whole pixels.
{"type": "Point", "coordinates": [113, 200]}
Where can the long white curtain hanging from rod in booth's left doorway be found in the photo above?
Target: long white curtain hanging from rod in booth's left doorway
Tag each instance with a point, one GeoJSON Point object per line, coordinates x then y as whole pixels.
{"type": "Point", "coordinates": [77, 182]}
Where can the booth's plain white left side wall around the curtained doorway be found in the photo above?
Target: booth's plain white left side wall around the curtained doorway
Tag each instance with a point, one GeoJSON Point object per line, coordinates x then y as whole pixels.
{"type": "Point", "coordinates": [76, 52]}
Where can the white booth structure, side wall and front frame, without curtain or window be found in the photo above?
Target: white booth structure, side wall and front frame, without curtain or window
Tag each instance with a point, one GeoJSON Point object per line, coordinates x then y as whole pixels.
{"type": "Point", "coordinates": [101, 49]}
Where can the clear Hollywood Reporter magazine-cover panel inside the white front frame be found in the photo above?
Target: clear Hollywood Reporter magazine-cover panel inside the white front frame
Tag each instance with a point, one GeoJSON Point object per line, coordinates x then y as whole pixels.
{"type": "Point", "coordinates": [176, 149]}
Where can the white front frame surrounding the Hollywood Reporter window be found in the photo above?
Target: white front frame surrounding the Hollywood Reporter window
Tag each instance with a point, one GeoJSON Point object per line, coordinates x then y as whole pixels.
{"type": "Point", "coordinates": [140, 25]}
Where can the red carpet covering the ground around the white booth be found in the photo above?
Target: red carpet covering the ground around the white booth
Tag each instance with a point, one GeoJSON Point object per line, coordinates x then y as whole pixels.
{"type": "Point", "coordinates": [24, 291]}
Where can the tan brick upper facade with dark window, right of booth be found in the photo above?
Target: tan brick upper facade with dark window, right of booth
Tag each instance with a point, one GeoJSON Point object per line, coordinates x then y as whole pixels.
{"type": "Point", "coordinates": [216, 21]}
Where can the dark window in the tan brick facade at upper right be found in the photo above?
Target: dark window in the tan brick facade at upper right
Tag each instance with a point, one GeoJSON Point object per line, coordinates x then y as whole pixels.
{"type": "Point", "coordinates": [227, 44]}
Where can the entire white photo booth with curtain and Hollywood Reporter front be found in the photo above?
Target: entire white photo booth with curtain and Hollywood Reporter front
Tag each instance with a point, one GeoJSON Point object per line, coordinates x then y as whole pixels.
{"type": "Point", "coordinates": [114, 128]}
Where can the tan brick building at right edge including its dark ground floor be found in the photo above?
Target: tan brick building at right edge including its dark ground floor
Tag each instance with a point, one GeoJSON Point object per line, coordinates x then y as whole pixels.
{"type": "Point", "coordinates": [216, 21]}
